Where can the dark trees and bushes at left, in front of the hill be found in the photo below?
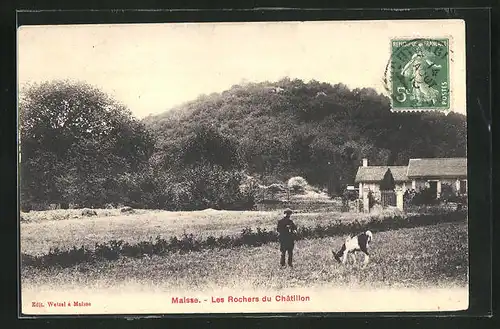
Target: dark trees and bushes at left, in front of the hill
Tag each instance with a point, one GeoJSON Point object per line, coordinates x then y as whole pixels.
{"type": "Point", "coordinates": [79, 146]}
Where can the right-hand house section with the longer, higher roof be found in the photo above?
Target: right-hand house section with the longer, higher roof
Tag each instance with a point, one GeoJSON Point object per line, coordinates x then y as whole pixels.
{"type": "Point", "coordinates": [435, 172]}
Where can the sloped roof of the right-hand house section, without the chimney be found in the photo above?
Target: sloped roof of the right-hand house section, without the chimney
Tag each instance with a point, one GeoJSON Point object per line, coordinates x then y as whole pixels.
{"type": "Point", "coordinates": [437, 167]}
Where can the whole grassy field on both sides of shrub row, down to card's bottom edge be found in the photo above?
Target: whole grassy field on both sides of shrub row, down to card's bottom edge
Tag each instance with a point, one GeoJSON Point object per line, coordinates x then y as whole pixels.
{"type": "Point", "coordinates": [420, 269]}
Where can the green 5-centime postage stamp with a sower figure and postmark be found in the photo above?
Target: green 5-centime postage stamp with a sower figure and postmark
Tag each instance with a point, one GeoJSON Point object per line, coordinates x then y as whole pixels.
{"type": "Point", "coordinates": [419, 76]}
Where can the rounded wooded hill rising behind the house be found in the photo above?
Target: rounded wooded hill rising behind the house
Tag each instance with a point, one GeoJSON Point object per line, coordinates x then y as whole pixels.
{"type": "Point", "coordinates": [316, 130]}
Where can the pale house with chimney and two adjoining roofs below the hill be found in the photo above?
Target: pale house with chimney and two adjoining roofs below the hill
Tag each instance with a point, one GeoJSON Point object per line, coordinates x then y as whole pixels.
{"type": "Point", "coordinates": [419, 174]}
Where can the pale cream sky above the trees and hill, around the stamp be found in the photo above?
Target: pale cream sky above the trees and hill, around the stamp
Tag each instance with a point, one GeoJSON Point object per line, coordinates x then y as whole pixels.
{"type": "Point", "coordinates": [153, 67]}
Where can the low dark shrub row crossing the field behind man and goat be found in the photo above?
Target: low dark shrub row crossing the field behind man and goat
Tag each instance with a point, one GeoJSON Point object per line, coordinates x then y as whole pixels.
{"type": "Point", "coordinates": [189, 243]}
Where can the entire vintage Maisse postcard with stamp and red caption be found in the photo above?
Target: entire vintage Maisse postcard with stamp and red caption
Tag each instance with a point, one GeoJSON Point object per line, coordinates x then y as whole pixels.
{"type": "Point", "coordinates": [244, 167]}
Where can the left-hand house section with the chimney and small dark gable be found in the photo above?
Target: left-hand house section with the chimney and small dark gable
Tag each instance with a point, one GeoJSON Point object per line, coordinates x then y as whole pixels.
{"type": "Point", "coordinates": [371, 177]}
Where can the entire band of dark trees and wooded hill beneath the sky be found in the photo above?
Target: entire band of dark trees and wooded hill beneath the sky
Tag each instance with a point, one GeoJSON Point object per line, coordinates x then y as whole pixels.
{"type": "Point", "coordinates": [79, 146]}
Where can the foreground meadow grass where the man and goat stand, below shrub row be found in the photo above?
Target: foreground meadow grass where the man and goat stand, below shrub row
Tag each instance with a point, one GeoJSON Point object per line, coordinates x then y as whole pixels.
{"type": "Point", "coordinates": [434, 256]}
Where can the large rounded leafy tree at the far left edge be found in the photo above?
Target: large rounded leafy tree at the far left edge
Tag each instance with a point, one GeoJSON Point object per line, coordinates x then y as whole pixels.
{"type": "Point", "coordinates": [76, 143]}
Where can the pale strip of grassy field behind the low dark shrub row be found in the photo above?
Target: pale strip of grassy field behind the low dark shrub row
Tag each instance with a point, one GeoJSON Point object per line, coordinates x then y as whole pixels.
{"type": "Point", "coordinates": [67, 228]}
